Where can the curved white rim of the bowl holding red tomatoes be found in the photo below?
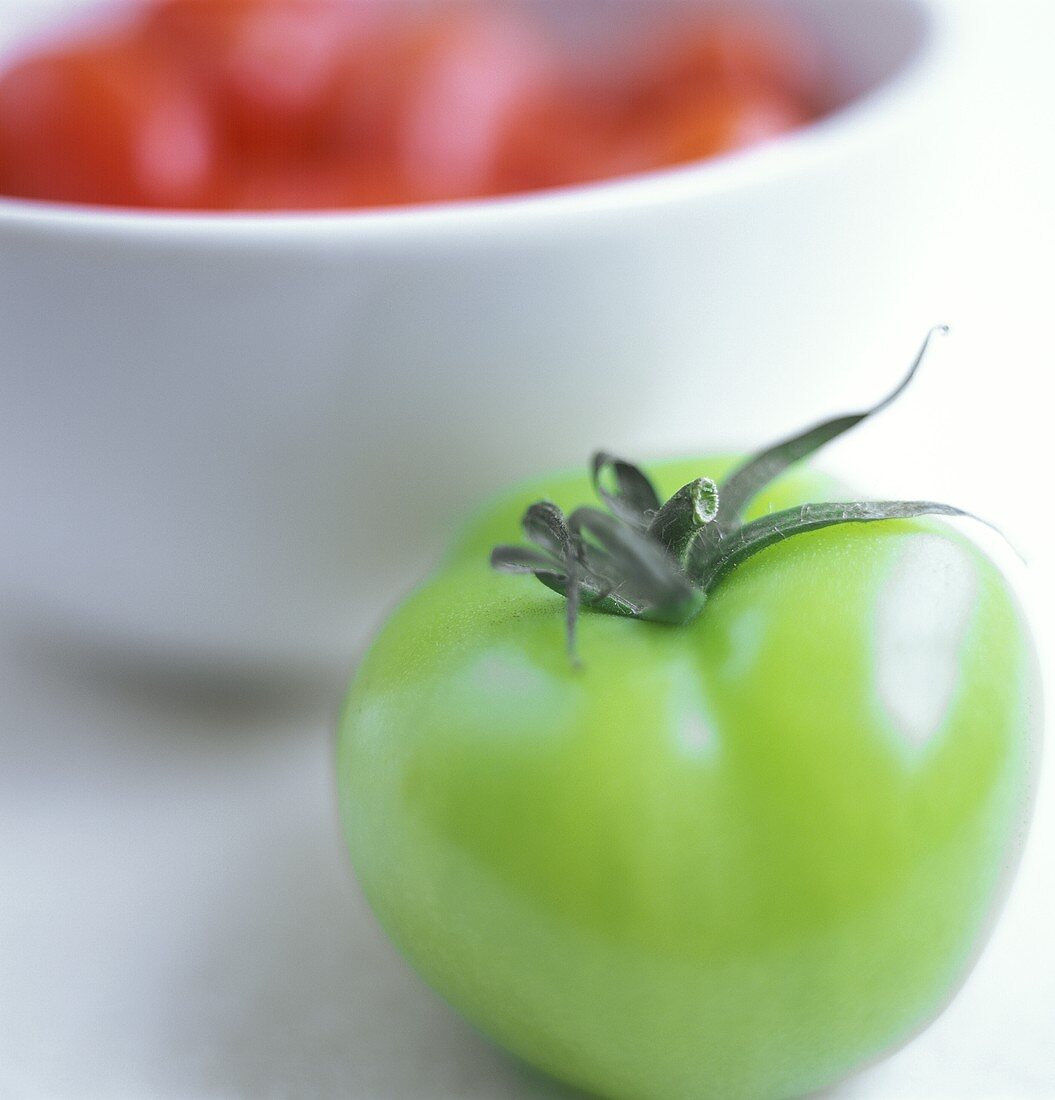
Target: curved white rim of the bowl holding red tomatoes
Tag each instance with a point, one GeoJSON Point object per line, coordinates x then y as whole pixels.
{"type": "Point", "coordinates": [825, 139]}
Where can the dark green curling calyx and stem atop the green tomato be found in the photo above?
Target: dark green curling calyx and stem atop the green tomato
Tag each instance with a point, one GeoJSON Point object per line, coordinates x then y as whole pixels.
{"type": "Point", "coordinates": [653, 560]}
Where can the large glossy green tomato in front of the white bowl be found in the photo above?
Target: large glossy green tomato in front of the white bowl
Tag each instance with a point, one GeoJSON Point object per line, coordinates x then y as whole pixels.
{"type": "Point", "coordinates": [734, 859]}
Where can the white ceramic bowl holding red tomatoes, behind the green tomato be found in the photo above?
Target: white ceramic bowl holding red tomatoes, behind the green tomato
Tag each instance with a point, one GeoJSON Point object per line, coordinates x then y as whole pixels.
{"type": "Point", "coordinates": [238, 438]}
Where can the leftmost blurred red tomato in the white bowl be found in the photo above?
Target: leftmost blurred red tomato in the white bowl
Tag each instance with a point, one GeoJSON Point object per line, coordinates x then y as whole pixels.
{"type": "Point", "coordinates": [102, 125]}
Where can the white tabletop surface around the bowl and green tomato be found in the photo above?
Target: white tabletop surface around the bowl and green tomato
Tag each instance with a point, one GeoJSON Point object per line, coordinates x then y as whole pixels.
{"type": "Point", "coordinates": [178, 918]}
